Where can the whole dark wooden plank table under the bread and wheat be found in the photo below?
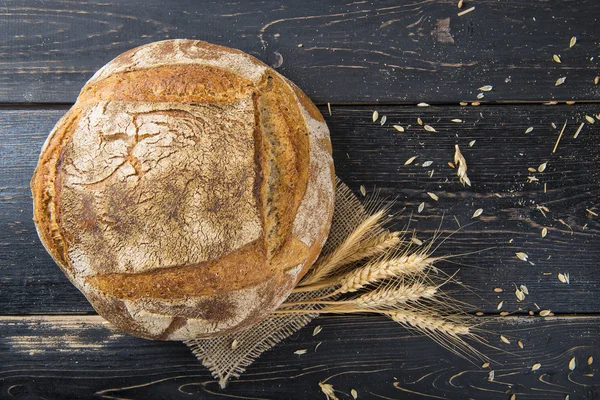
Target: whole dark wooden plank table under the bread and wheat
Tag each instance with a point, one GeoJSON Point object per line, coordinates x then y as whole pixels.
{"type": "Point", "coordinates": [359, 56]}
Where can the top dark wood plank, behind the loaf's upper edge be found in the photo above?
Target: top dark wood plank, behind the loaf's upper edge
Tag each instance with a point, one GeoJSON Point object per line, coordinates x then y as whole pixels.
{"type": "Point", "coordinates": [357, 51]}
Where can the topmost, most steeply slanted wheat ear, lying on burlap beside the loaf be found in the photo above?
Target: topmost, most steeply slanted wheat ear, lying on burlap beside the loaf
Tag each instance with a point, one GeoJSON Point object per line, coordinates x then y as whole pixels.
{"type": "Point", "coordinates": [348, 246]}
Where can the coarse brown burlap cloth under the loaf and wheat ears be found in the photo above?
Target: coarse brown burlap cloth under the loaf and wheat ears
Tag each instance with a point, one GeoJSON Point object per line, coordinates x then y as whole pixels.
{"type": "Point", "coordinates": [229, 356]}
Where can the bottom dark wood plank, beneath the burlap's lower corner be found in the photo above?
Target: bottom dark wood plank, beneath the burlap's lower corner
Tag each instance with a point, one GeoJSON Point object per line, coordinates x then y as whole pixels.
{"type": "Point", "coordinates": [79, 357]}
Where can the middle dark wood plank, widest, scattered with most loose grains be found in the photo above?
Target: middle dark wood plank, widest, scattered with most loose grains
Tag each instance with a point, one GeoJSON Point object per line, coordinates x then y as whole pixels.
{"type": "Point", "coordinates": [372, 155]}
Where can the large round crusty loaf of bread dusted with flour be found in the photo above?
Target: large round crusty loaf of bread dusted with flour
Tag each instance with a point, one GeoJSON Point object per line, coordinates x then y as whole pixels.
{"type": "Point", "coordinates": [186, 191]}
